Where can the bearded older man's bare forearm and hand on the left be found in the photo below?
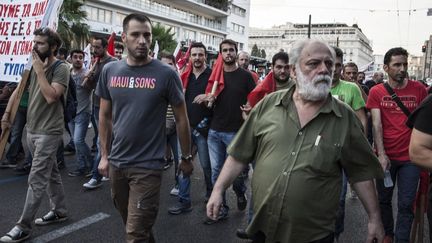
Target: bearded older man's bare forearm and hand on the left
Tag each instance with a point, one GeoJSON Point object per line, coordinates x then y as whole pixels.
{"type": "Point", "coordinates": [231, 169]}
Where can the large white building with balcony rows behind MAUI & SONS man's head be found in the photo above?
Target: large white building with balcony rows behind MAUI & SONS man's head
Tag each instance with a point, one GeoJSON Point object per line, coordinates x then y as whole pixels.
{"type": "Point", "coordinates": [190, 20]}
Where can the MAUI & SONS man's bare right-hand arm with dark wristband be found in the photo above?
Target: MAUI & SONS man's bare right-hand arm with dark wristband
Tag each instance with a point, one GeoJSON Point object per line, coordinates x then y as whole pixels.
{"type": "Point", "coordinates": [183, 131]}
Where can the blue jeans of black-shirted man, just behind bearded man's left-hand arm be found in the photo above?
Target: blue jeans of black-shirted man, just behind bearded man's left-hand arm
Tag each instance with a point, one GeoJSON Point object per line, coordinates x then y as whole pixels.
{"type": "Point", "coordinates": [217, 144]}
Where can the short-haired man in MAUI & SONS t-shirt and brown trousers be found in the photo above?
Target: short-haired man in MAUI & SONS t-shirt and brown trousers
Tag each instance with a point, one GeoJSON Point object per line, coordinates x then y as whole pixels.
{"type": "Point", "coordinates": [135, 93]}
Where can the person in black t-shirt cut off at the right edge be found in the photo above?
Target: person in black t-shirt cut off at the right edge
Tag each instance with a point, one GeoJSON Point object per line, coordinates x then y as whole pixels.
{"type": "Point", "coordinates": [420, 149]}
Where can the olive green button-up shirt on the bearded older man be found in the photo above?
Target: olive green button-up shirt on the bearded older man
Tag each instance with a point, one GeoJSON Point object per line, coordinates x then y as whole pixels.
{"type": "Point", "coordinates": [298, 172]}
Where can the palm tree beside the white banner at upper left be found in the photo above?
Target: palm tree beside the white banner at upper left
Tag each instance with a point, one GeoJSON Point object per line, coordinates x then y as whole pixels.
{"type": "Point", "coordinates": [71, 28]}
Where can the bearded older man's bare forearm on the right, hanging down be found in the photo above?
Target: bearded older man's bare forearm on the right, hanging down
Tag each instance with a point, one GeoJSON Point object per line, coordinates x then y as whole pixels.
{"type": "Point", "coordinates": [368, 196]}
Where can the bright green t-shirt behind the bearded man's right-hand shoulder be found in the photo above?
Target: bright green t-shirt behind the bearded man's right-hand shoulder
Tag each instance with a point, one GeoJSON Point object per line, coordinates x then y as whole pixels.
{"type": "Point", "coordinates": [349, 93]}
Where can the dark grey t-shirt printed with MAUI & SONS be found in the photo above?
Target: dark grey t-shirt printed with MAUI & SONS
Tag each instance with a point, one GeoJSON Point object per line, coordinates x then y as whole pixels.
{"type": "Point", "coordinates": [139, 96]}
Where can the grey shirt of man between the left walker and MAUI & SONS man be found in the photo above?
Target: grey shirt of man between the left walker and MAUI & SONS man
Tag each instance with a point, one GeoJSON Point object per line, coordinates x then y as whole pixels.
{"type": "Point", "coordinates": [83, 94]}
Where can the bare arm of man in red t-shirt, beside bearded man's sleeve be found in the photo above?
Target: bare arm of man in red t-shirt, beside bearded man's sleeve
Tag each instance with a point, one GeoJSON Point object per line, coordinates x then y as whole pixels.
{"type": "Point", "coordinates": [378, 138]}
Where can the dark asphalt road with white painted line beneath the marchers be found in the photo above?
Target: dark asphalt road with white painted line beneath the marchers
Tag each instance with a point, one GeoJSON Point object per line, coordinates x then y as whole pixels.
{"type": "Point", "coordinates": [93, 218]}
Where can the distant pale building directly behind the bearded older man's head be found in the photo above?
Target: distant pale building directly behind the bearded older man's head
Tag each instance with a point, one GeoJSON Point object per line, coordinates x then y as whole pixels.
{"type": "Point", "coordinates": [355, 45]}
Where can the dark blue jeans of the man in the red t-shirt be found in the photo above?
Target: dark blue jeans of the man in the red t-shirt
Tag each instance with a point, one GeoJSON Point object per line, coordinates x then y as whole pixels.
{"type": "Point", "coordinates": [406, 175]}
